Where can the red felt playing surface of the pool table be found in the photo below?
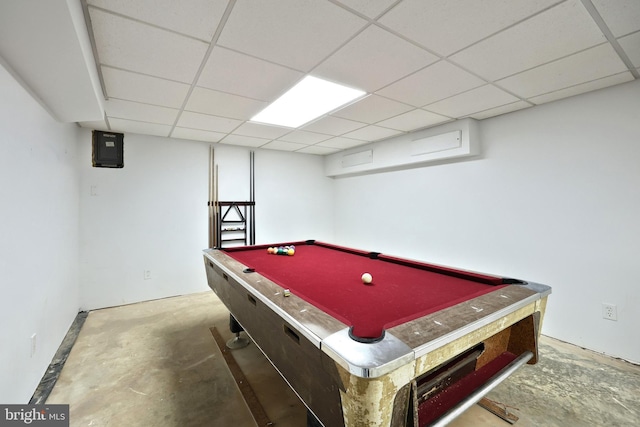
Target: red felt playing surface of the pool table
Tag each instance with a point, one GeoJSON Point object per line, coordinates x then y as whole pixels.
{"type": "Point", "coordinates": [330, 279]}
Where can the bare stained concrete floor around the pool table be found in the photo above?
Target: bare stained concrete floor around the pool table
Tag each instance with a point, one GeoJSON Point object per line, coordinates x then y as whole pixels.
{"type": "Point", "coordinates": [157, 364]}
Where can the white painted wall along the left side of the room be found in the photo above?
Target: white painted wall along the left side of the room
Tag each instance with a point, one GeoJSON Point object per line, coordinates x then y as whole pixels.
{"type": "Point", "coordinates": [39, 238]}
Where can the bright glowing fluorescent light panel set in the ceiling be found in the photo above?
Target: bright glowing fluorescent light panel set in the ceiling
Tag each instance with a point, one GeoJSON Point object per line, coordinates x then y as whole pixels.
{"type": "Point", "coordinates": [310, 98]}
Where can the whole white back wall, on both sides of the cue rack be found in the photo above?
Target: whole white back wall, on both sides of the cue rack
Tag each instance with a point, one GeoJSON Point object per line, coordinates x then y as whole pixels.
{"type": "Point", "coordinates": [152, 214]}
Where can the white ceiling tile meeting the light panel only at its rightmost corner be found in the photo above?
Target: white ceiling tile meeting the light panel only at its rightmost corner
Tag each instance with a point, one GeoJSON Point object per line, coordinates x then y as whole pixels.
{"type": "Point", "coordinates": [438, 81]}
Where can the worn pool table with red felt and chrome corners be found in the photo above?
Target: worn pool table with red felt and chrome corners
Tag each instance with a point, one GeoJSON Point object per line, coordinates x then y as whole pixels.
{"type": "Point", "coordinates": [416, 346]}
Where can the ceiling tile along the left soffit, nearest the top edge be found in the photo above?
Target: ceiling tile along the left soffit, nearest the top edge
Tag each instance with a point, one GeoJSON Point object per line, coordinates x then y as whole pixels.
{"type": "Point", "coordinates": [123, 43]}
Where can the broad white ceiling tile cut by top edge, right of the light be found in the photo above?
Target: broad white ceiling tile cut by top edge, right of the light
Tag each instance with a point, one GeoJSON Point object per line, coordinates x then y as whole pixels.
{"type": "Point", "coordinates": [446, 26]}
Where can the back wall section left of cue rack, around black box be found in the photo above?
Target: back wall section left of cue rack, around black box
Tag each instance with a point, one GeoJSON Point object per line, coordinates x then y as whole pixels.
{"type": "Point", "coordinates": [149, 215]}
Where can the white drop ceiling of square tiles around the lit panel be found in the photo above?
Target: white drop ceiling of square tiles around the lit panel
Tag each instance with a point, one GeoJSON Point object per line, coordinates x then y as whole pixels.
{"type": "Point", "coordinates": [200, 69]}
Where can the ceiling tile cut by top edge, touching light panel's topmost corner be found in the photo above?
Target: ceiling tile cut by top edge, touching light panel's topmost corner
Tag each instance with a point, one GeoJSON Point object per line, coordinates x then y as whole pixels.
{"type": "Point", "coordinates": [289, 32]}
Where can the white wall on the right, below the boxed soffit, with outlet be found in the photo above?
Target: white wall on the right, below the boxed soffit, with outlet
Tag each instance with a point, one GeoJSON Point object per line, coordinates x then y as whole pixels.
{"type": "Point", "coordinates": [554, 198]}
